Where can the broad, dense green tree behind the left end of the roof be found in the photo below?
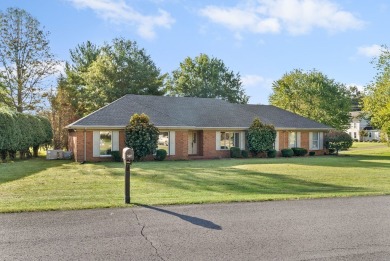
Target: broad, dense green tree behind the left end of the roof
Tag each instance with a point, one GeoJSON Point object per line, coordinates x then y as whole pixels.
{"type": "Point", "coordinates": [100, 75]}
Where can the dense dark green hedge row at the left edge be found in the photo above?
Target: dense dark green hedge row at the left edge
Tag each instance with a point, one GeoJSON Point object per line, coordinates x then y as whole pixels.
{"type": "Point", "coordinates": [20, 132]}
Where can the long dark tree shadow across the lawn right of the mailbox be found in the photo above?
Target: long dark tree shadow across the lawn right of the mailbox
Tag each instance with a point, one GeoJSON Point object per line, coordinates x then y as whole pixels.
{"type": "Point", "coordinates": [250, 182]}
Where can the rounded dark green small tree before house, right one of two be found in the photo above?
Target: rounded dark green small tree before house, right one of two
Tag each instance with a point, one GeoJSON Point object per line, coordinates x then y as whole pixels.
{"type": "Point", "coordinates": [261, 137]}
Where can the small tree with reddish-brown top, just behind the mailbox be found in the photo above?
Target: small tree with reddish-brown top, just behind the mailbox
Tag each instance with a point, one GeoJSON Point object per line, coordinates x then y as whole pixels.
{"type": "Point", "coordinates": [142, 136]}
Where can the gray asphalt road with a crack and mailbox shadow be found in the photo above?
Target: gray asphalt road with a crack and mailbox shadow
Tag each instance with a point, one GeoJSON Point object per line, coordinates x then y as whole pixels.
{"type": "Point", "coordinates": [323, 229]}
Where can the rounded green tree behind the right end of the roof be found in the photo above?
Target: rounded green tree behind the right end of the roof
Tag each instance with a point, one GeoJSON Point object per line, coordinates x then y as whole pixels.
{"type": "Point", "coordinates": [313, 95]}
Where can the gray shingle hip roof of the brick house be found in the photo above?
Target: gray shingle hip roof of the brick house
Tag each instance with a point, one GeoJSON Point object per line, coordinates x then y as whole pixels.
{"type": "Point", "coordinates": [189, 112]}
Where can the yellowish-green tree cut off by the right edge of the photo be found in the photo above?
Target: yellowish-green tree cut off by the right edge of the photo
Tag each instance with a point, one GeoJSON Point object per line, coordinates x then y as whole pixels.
{"type": "Point", "coordinates": [376, 103]}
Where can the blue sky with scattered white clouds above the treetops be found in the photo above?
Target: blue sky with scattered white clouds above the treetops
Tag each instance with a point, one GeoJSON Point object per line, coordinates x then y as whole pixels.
{"type": "Point", "coordinates": [260, 39]}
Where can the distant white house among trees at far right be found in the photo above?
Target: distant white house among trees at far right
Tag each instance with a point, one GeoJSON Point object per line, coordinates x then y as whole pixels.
{"type": "Point", "coordinates": [358, 124]}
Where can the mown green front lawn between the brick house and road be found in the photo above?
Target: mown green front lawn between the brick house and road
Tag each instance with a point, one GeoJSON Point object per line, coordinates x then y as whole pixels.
{"type": "Point", "coordinates": [38, 184]}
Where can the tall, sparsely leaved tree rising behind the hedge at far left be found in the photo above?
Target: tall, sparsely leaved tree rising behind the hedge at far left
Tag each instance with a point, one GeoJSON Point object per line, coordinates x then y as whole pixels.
{"type": "Point", "coordinates": [25, 60]}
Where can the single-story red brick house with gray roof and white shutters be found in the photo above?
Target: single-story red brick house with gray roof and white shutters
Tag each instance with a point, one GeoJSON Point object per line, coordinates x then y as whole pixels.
{"type": "Point", "coordinates": [190, 128]}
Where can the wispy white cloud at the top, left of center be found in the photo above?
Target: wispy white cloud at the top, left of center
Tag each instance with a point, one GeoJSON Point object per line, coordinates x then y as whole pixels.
{"type": "Point", "coordinates": [119, 12]}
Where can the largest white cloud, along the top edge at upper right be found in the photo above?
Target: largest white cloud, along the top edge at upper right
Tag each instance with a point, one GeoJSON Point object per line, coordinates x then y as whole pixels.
{"type": "Point", "coordinates": [271, 16]}
